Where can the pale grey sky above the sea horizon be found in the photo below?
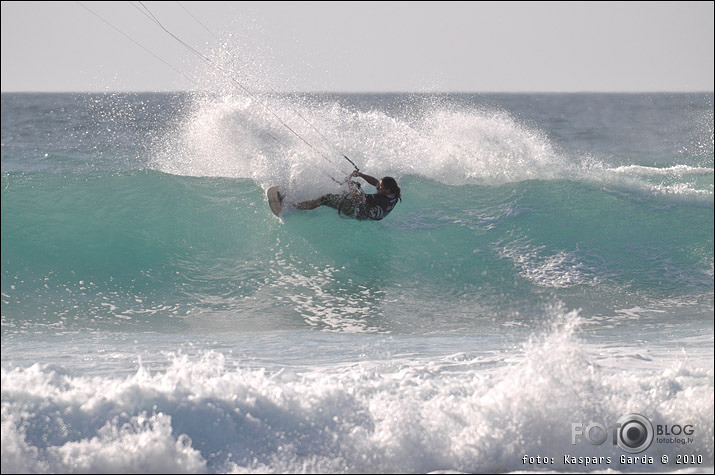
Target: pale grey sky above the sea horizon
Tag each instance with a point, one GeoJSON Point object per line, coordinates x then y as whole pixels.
{"type": "Point", "coordinates": [364, 46]}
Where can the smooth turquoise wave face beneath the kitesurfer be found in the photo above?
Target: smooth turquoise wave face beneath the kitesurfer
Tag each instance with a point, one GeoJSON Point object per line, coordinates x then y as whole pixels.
{"type": "Point", "coordinates": [169, 246]}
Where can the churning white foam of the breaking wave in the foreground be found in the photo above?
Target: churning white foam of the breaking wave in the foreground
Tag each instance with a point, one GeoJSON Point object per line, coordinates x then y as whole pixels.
{"type": "Point", "coordinates": [207, 413]}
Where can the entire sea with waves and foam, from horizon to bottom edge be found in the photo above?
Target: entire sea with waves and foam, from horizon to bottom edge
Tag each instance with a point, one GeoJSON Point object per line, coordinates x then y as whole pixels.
{"type": "Point", "coordinates": [547, 275]}
